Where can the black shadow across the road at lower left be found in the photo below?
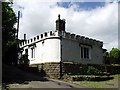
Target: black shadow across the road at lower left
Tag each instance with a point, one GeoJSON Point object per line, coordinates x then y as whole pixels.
{"type": "Point", "coordinates": [13, 75]}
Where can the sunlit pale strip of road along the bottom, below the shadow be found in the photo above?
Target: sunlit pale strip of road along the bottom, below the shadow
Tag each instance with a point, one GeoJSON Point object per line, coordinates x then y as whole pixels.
{"type": "Point", "coordinates": [44, 84]}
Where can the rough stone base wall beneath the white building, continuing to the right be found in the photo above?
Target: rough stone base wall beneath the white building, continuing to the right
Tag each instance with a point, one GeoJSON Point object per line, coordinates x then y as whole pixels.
{"type": "Point", "coordinates": [59, 70]}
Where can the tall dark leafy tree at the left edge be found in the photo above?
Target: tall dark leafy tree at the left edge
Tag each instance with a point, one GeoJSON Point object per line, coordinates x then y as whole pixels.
{"type": "Point", "coordinates": [9, 41]}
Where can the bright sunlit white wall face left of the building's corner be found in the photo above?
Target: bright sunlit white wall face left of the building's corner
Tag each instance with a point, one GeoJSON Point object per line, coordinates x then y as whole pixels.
{"type": "Point", "coordinates": [49, 51]}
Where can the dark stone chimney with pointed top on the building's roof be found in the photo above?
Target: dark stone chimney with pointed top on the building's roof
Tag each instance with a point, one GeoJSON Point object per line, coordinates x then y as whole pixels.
{"type": "Point", "coordinates": [60, 24]}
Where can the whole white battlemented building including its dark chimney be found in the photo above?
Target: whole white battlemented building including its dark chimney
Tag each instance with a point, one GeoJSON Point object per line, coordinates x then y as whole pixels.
{"type": "Point", "coordinates": [62, 46]}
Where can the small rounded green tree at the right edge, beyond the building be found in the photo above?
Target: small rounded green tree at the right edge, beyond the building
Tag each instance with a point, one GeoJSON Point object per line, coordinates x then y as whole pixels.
{"type": "Point", "coordinates": [115, 55]}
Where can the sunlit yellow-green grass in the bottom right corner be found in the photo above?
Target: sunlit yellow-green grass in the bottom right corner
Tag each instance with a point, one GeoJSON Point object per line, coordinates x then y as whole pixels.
{"type": "Point", "coordinates": [101, 84]}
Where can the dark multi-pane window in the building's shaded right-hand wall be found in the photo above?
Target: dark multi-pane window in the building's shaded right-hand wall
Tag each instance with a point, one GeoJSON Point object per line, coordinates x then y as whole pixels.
{"type": "Point", "coordinates": [85, 52]}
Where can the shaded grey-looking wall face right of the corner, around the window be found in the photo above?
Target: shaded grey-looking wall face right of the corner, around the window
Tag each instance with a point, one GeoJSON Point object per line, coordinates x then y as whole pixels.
{"type": "Point", "coordinates": [71, 52]}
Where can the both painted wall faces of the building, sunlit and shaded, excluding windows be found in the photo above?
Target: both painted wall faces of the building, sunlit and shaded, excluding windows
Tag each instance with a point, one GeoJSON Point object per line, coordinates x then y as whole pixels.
{"type": "Point", "coordinates": [48, 49]}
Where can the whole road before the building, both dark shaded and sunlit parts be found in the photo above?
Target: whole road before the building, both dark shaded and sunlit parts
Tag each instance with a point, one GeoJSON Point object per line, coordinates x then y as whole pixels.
{"type": "Point", "coordinates": [16, 78]}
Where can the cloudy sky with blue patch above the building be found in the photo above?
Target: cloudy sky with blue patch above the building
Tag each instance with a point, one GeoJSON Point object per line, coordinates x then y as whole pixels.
{"type": "Point", "coordinates": [97, 20]}
